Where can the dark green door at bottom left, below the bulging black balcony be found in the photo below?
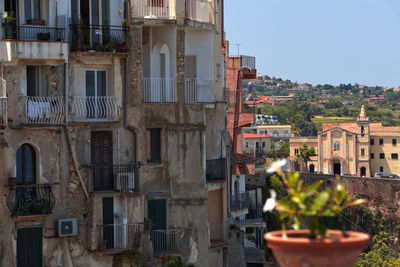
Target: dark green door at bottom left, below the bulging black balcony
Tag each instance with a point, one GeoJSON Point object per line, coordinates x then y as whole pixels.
{"type": "Point", "coordinates": [29, 247]}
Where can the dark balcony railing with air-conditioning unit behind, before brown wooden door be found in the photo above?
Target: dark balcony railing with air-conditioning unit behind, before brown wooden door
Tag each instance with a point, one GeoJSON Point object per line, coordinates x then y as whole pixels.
{"type": "Point", "coordinates": [122, 178]}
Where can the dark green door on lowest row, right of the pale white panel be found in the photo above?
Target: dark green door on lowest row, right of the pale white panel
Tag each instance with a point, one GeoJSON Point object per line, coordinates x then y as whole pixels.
{"type": "Point", "coordinates": [157, 213]}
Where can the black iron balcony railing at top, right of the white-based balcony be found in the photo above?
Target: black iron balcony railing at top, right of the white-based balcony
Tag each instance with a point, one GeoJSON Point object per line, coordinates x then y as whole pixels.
{"type": "Point", "coordinates": [101, 38]}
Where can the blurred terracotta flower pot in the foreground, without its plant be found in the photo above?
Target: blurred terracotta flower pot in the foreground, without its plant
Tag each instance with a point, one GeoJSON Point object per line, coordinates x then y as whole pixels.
{"type": "Point", "coordinates": [299, 250]}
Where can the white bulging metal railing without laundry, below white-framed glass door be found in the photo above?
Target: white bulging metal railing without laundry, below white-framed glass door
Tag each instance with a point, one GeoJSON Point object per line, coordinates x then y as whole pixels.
{"type": "Point", "coordinates": [96, 108]}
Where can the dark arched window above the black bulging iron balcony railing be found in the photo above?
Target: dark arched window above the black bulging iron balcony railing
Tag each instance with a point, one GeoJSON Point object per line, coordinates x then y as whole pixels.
{"type": "Point", "coordinates": [26, 165]}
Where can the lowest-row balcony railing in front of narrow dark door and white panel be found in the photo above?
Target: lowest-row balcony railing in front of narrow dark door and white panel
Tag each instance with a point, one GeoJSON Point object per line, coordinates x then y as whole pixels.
{"type": "Point", "coordinates": [120, 236]}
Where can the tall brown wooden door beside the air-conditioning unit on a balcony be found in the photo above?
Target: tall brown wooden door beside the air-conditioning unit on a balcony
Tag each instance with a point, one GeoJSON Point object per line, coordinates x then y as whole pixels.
{"type": "Point", "coordinates": [102, 161]}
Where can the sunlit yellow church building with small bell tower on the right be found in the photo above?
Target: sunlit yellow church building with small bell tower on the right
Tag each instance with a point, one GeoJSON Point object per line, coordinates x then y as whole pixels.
{"type": "Point", "coordinates": [359, 149]}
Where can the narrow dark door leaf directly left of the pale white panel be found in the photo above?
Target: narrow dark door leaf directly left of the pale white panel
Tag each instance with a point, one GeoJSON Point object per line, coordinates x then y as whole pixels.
{"type": "Point", "coordinates": [108, 222]}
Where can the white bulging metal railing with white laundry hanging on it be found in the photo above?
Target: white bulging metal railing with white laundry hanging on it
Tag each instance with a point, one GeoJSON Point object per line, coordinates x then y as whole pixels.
{"type": "Point", "coordinates": [44, 110]}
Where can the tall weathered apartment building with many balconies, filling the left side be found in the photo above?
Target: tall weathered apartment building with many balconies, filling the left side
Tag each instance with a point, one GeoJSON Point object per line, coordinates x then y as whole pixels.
{"type": "Point", "coordinates": [113, 131]}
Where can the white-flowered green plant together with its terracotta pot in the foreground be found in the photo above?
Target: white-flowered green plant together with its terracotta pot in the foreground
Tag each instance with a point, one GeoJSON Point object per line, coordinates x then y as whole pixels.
{"type": "Point", "coordinates": [316, 246]}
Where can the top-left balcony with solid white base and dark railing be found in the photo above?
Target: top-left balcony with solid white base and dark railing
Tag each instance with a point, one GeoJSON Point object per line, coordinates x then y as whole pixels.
{"type": "Point", "coordinates": [35, 42]}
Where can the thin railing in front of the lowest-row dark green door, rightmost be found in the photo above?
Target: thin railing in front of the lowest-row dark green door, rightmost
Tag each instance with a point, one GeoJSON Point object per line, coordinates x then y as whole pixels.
{"type": "Point", "coordinates": [167, 240]}
